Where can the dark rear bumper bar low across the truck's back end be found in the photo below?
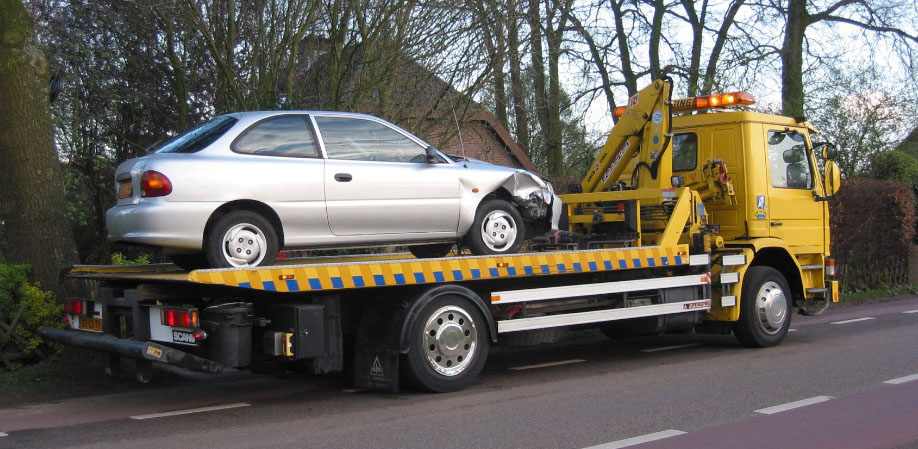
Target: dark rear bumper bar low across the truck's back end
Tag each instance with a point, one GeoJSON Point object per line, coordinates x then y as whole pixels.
{"type": "Point", "coordinates": [140, 350]}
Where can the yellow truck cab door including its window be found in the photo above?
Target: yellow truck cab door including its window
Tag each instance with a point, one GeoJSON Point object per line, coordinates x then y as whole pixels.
{"type": "Point", "coordinates": [793, 213]}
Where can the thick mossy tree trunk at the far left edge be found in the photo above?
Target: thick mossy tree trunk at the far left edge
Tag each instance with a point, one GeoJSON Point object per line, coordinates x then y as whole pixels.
{"type": "Point", "coordinates": [37, 231]}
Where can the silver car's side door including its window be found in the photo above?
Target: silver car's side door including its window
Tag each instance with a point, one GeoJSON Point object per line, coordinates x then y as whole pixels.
{"type": "Point", "coordinates": [378, 181]}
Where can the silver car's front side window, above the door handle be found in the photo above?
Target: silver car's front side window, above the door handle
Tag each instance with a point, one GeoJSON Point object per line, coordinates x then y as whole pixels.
{"type": "Point", "coordinates": [365, 140]}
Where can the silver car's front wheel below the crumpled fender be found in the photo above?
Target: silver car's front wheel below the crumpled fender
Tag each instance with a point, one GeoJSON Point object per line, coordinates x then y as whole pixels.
{"type": "Point", "coordinates": [498, 229]}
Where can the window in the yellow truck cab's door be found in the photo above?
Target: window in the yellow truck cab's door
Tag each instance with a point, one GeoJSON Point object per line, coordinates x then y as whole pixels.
{"type": "Point", "coordinates": [788, 161]}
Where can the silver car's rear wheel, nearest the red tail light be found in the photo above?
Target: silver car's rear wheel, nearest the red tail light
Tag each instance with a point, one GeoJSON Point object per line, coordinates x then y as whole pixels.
{"type": "Point", "coordinates": [247, 235]}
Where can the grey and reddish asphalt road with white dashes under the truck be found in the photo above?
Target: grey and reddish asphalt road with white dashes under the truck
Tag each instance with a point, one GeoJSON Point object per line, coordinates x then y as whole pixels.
{"type": "Point", "coordinates": [845, 379]}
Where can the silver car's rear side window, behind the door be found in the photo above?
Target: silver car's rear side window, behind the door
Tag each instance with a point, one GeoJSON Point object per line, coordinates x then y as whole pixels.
{"type": "Point", "coordinates": [287, 135]}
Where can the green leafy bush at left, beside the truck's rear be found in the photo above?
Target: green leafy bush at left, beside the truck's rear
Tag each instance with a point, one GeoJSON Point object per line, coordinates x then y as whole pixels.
{"type": "Point", "coordinates": [39, 308]}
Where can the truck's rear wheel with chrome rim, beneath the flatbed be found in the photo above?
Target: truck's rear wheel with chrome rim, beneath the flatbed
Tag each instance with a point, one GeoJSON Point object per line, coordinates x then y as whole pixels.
{"type": "Point", "coordinates": [448, 346]}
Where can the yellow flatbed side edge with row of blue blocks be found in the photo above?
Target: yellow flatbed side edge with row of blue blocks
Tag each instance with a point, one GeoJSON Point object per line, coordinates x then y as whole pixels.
{"type": "Point", "coordinates": [299, 278]}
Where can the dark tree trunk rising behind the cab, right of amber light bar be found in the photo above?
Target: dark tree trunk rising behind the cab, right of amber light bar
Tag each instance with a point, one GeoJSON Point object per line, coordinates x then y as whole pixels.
{"type": "Point", "coordinates": [792, 54]}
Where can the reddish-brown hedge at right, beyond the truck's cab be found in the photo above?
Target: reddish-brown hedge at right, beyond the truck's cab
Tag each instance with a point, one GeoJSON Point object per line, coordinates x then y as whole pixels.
{"type": "Point", "coordinates": [873, 225]}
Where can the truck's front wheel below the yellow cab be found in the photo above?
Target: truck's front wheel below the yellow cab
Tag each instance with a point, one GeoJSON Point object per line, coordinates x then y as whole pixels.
{"type": "Point", "coordinates": [765, 308]}
